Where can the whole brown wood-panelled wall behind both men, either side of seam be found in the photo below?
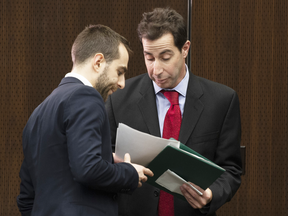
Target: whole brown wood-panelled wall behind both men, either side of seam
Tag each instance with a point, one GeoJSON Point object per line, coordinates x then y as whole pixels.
{"type": "Point", "coordinates": [242, 44]}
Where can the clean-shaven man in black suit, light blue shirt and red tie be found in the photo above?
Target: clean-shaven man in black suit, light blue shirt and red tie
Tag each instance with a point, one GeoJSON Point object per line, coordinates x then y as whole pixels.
{"type": "Point", "coordinates": [210, 116]}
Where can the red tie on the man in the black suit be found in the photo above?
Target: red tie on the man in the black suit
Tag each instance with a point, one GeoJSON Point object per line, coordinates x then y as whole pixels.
{"type": "Point", "coordinates": [172, 124]}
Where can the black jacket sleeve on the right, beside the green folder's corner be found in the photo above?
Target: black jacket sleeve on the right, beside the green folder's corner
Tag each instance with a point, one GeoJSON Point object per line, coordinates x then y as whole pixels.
{"type": "Point", "coordinates": [228, 156]}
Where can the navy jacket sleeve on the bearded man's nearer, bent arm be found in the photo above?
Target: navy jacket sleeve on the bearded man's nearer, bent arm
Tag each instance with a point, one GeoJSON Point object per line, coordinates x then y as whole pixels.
{"type": "Point", "coordinates": [89, 145]}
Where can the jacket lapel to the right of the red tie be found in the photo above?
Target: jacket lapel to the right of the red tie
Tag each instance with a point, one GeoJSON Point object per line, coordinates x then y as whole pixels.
{"type": "Point", "coordinates": [192, 109]}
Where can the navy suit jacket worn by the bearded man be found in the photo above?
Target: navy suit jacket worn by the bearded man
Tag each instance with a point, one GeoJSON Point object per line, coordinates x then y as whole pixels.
{"type": "Point", "coordinates": [68, 166]}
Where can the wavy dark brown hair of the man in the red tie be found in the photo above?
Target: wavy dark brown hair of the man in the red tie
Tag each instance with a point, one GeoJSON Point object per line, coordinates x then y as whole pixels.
{"type": "Point", "coordinates": [161, 21]}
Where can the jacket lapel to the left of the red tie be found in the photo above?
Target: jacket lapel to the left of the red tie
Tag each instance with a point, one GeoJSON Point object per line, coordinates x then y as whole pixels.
{"type": "Point", "coordinates": [147, 106]}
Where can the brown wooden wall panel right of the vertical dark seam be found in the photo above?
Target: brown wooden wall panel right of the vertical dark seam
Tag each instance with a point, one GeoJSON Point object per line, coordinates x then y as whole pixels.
{"type": "Point", "coordinates": [243, 44]}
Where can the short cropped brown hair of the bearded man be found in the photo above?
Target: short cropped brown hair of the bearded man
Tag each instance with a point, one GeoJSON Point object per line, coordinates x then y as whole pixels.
{"type": "Point", "coordinates": [98, 39]}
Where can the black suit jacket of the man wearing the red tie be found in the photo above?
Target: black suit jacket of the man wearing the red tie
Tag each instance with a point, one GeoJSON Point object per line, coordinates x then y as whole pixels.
{"type": "Point", "coordinates": [210, 126]}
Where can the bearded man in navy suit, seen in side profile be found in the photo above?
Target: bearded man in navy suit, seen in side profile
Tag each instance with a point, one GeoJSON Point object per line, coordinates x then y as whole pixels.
{"type": "Point", "coordinates": [68, 166]}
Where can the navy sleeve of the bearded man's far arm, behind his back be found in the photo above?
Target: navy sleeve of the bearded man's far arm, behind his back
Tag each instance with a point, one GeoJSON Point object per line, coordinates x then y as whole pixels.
{"type": "Point", "coordinates": [25, 199]}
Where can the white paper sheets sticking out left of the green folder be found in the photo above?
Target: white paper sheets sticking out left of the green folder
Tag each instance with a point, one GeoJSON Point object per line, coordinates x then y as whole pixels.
{"type": "Point", "coordinates": [142, 147]}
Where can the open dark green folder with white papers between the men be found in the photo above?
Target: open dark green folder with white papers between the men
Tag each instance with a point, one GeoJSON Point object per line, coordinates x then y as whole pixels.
{"type": "Point", "coordinates": [172, 162]}
